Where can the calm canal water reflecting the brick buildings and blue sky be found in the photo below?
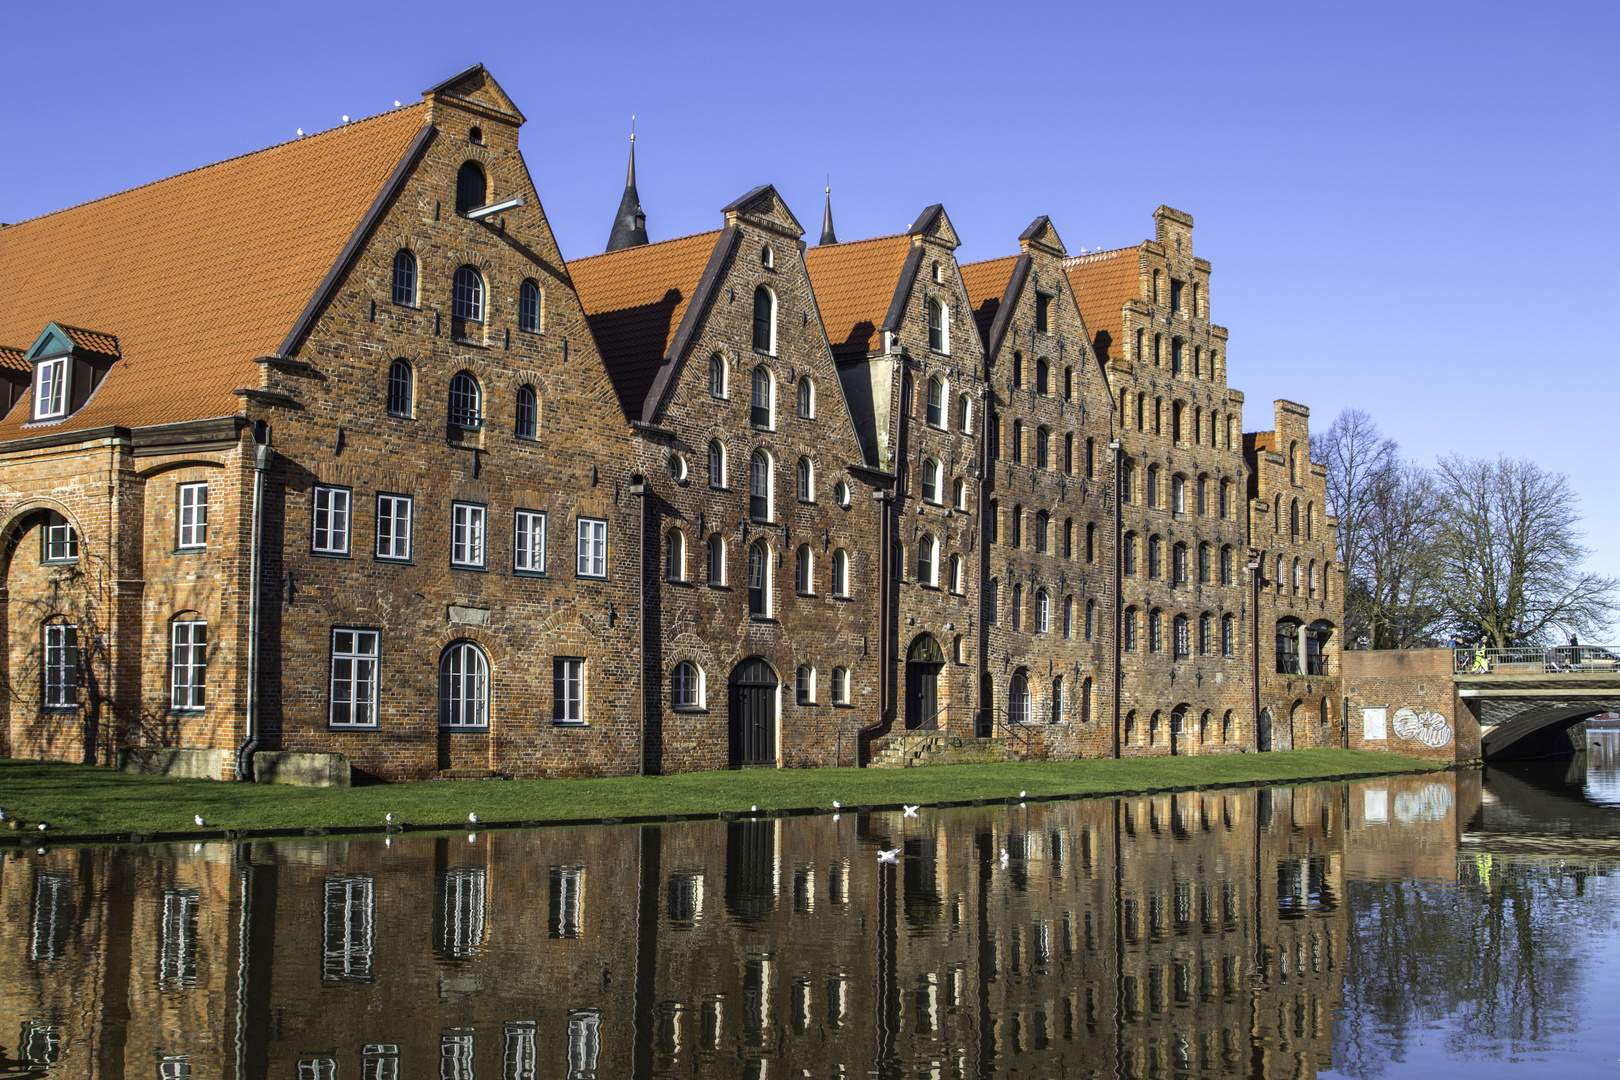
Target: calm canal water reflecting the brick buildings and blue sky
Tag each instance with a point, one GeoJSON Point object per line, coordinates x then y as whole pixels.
{"type": "Point", "coordinates": [1391, 929]}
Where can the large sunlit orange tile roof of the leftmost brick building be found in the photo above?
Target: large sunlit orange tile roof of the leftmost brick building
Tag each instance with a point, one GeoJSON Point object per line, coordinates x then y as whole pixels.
{"type": "Point", "coordinates": [197, 274]}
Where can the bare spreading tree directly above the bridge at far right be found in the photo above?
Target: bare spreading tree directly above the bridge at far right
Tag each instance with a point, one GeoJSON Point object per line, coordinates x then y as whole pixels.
{"type": "Point", "coordinates": [1511, 555]}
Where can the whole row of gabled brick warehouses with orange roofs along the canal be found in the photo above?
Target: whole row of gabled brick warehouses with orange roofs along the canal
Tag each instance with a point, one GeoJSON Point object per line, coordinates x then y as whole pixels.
{"type": "Point", "coordinates": [394, 480]}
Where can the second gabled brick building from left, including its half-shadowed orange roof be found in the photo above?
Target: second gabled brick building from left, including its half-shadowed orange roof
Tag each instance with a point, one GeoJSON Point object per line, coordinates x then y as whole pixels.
{"type": "Point", "coordinates": [759, 504]}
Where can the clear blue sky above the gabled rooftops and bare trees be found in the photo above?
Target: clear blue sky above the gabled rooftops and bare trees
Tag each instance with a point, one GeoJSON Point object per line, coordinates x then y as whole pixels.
{"type": "Point", "coordinates": [1410, 206]}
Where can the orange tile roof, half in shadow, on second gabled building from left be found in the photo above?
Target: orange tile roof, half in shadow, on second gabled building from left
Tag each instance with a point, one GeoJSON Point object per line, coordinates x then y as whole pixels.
{"type": "Point", "coordinates": [634, 300]}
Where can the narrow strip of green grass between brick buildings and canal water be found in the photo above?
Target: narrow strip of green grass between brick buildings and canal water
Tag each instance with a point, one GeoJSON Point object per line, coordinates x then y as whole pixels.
{"type": "Point", "coordinates": [95, 801]}
